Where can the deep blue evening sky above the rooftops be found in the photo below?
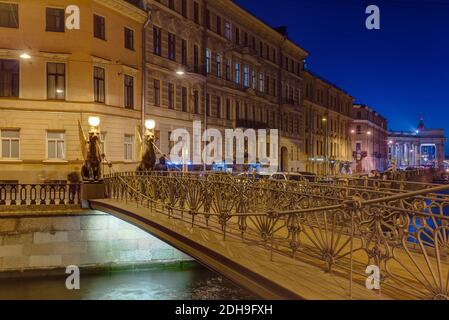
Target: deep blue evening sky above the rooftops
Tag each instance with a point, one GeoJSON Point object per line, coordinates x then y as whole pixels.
{"type": "Point", "coordinates": [402, 70]}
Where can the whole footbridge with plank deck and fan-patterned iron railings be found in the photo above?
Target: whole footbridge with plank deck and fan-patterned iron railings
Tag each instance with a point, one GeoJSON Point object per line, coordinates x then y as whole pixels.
{"type": "Point", "coordinates": [297, 240]}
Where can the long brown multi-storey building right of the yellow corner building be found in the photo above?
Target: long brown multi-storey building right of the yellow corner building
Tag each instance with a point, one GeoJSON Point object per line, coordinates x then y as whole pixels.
{"type": "Point", "coordinates": [213, 62]}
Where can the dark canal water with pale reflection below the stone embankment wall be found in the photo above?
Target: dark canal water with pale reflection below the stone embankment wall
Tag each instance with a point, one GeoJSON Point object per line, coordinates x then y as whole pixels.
{"type": "Point", "coordinates": [193, 283]}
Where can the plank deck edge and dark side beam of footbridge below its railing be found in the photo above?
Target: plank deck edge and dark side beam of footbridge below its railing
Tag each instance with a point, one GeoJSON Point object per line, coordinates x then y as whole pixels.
{"type": "Point", "coordinates": [245, 263]}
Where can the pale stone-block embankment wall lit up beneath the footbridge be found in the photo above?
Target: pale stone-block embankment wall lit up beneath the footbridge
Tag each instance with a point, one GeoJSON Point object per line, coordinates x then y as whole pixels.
{"type": "Point", "coordinates": [90, 239]}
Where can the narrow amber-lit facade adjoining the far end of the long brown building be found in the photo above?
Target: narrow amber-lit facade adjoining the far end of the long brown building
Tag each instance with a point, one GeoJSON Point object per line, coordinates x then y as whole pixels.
{"type": "Point", "coordinates": [327, 116]}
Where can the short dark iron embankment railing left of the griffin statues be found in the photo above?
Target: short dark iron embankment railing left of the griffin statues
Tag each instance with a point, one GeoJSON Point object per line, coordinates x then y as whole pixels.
{"type": "Point", "coordinates": [39, 194]}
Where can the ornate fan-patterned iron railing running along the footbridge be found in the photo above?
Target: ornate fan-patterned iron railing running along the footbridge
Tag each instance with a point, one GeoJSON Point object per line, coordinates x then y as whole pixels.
{"type": "Point", "coordinates": [339, 228]}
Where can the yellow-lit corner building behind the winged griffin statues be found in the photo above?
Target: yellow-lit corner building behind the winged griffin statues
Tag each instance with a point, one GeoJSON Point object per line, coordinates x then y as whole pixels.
{"type": "Point", "coordinates": [52, 77]}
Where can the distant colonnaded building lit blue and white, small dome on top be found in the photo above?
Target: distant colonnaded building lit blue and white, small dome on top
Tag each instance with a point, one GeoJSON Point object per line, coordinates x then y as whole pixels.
{"type": "Point", "coordinates": [423, 147]}
